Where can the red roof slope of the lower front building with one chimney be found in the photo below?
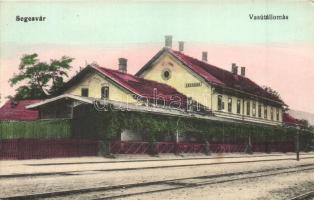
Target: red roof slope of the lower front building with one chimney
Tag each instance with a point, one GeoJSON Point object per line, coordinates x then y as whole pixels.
{"type": "Point", "coordinates": [143, 87]}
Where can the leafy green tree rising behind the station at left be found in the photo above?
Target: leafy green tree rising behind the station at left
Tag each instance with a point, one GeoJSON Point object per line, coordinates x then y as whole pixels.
{"type": "Point", "coordinates": [40, 79]}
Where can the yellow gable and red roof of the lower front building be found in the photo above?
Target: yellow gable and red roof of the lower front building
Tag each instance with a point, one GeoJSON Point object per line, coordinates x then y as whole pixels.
{"type": "Point", "coordinates": [123, 87]}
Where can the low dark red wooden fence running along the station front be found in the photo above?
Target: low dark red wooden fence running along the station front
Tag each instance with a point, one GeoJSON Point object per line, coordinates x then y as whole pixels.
{"type": "Point", "coordinates": [53, 148]}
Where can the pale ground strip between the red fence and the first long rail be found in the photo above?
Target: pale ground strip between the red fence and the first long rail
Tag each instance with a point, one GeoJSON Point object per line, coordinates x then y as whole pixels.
{"type": "Point", "coordinates": [30, 167]}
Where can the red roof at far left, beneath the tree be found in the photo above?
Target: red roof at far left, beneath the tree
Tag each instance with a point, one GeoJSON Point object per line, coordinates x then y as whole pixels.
{"type": "Point", "coordinates": [18, 112]}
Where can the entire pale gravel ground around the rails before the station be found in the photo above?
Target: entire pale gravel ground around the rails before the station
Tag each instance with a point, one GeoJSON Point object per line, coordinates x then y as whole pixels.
{"type": "Point", "coordinates": [90, 175]}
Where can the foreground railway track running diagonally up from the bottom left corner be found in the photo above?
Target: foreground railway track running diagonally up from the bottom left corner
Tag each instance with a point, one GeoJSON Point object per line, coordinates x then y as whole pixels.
{"type": "Point", "coordinates": [141, 188]}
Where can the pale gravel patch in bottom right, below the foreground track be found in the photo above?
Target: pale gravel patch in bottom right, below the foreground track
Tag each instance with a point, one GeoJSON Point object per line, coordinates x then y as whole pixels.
{"type": "Point", "coordinates": [275, 187]}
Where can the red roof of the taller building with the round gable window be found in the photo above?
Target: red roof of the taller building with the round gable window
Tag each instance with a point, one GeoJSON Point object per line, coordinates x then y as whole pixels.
{"type": "Point", "coordinates": [216, 75]}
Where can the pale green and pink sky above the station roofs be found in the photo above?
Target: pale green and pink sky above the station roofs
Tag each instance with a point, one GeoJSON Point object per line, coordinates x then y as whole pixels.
{"type": "Point", "coordinates": [276, 53]}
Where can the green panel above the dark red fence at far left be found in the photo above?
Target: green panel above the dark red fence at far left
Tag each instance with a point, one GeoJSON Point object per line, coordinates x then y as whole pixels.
{"type": "Point", "coordinates": [43, 129]}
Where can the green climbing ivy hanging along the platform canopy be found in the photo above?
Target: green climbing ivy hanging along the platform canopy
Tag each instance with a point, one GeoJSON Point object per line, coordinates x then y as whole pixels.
{"type": "Point", "coordinates": [107, 125]}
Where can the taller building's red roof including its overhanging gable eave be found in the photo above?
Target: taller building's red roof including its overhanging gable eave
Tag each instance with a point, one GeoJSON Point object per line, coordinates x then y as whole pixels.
{"type": "Point", "coordinates": [214, 76]}
